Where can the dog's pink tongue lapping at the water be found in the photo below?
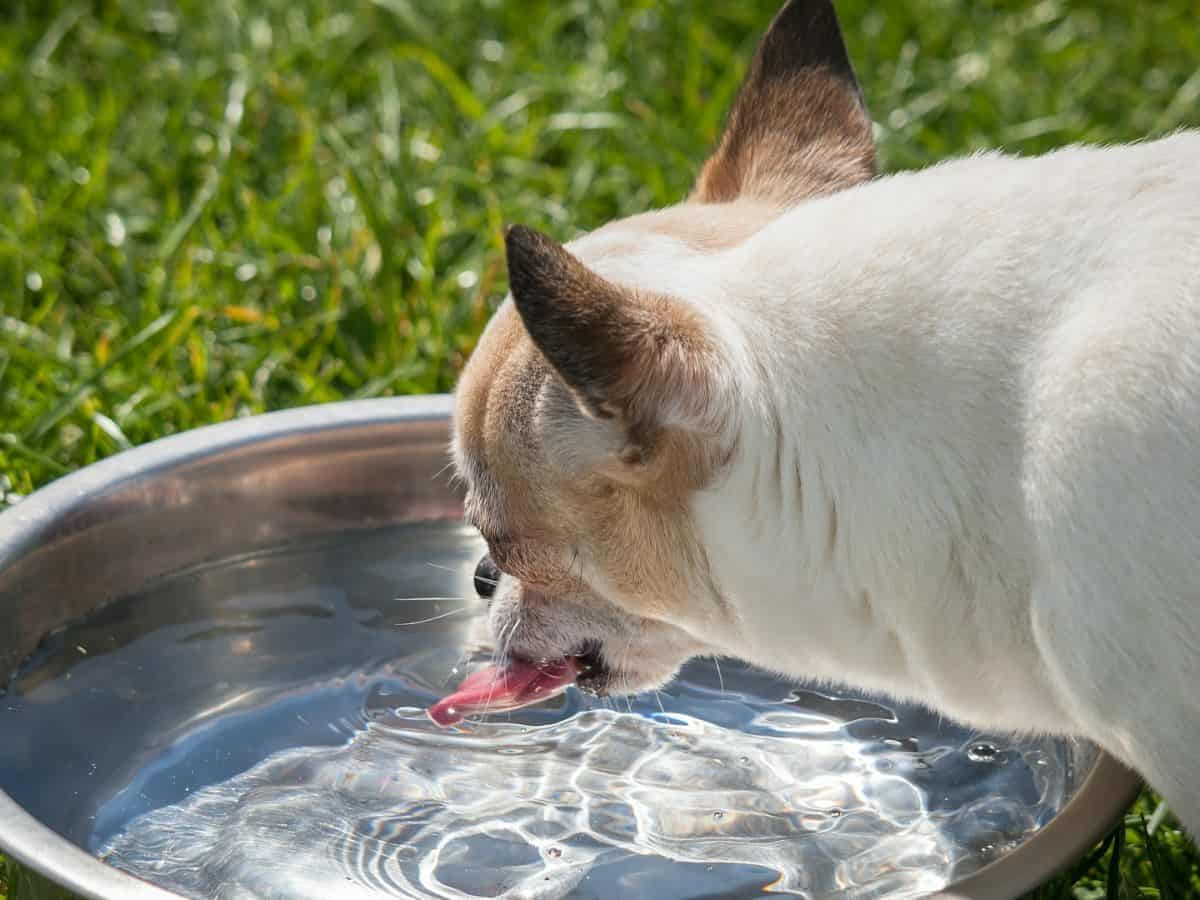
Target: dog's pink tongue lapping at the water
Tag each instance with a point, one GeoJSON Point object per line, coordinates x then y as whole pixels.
{"type": "Point", "coordinates": [496, 691]}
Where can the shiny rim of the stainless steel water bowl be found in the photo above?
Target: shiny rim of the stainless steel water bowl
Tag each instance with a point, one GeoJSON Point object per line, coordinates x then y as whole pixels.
{"type": "Point", "coordinates": [1106, 794]}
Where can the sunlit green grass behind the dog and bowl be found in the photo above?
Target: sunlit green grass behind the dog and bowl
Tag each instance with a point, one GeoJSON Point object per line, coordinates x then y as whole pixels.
{"type": "Point", "coordinates": [211, 209]}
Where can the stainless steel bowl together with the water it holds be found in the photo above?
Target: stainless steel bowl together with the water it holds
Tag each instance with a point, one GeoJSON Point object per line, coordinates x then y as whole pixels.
{"type": "Point", "coordinates": [224, 645]}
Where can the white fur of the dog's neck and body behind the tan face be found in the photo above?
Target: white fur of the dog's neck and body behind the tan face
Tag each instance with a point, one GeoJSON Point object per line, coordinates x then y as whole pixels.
{"type": "Point", "coordinates": [970, 443]}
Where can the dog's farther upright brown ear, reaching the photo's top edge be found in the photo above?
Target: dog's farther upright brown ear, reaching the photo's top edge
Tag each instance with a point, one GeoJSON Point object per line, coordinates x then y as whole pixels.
{"type": "Point", "coordinates": [799, 127]}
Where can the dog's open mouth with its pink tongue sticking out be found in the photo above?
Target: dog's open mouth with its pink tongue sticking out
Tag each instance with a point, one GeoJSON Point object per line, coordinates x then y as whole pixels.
{"type": "Point", "coordinates": [520, 683]}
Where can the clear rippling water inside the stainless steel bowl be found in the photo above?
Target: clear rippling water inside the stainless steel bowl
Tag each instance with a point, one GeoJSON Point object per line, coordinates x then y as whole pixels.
{"type": "Point", "coordinates": [255, 729]}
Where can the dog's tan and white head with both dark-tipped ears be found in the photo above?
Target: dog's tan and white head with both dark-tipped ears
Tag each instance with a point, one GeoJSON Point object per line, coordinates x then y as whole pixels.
{"type": "Point", "coordinates": [603, 395]}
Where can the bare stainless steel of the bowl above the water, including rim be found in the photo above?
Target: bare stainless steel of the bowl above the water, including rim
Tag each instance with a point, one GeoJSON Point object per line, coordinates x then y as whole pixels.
{"type": "Point", "coordinates": [256, 483]}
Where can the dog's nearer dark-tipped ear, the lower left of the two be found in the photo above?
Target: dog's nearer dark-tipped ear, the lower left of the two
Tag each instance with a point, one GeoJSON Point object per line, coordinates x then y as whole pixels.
{"type": "Point", "coordinates": [643, 361]}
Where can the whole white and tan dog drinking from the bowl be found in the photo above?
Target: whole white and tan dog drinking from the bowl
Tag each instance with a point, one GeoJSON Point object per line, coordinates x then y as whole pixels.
{"type": "Point", "coordinates": [935, 435]}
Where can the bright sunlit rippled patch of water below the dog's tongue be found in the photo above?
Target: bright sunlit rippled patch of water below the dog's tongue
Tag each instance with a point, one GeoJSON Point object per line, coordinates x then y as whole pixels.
{"type": "Point", "coordinates": [595, 801]}
